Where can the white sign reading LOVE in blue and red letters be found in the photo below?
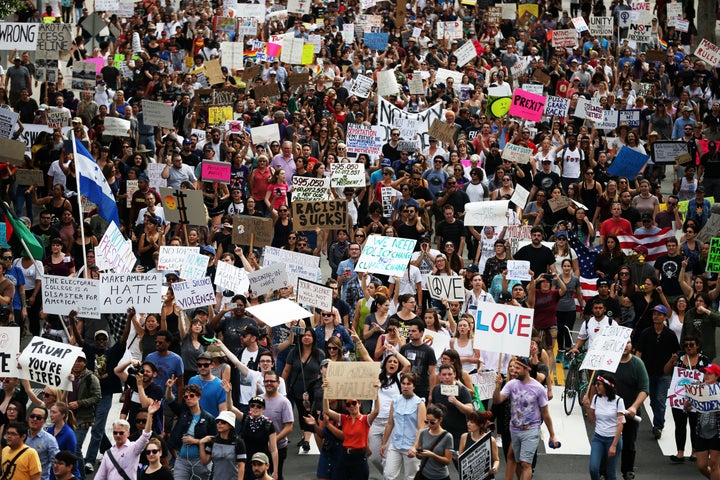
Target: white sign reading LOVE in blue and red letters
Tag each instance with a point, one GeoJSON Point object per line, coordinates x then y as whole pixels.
{"type": "Point", "coordinates": [503, 328]}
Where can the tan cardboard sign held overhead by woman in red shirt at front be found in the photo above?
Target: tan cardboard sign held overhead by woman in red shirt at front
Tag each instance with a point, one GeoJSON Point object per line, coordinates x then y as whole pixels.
{"type": "Point", "coordinates": [354, 380]}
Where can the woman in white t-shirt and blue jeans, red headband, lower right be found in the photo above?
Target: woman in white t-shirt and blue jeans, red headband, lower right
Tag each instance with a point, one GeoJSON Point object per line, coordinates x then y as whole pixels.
{"type": "Point", "coordinates": [607, 411]}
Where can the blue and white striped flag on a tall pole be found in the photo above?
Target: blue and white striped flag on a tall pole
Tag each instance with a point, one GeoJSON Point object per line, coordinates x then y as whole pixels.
{"type": "Point", "coordinates": [93, 185]}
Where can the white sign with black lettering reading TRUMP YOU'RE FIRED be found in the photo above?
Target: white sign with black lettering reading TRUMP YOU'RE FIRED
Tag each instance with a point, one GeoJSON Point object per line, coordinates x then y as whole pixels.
{"type": "Point", "coordinates": [48, 363]}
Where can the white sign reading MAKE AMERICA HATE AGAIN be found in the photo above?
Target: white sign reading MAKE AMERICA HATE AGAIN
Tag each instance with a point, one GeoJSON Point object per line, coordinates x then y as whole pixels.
{"type": "Point", "coordinates": [120, 291]}
